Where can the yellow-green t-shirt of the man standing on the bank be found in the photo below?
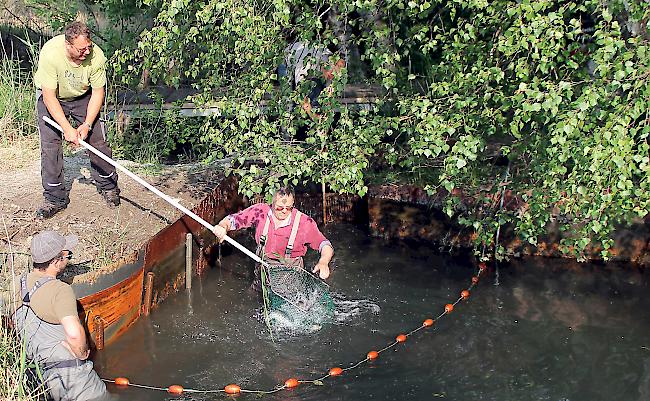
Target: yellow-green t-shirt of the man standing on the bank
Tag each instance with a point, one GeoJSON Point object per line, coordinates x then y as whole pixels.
{"type": "Point", "coordinates": [55, 71]}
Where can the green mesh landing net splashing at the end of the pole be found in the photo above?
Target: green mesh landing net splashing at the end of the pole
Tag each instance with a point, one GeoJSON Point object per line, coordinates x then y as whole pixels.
{"type": "Point", "coordinates": [297, 297]}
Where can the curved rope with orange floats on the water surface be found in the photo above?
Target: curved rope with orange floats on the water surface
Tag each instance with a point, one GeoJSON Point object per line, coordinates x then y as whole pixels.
{"type": "Point", "coordinates": [335, 371]}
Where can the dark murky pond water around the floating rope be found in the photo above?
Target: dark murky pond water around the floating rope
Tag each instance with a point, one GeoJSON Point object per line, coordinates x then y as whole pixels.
{"type": "Point", "coordinates": [550, 330]}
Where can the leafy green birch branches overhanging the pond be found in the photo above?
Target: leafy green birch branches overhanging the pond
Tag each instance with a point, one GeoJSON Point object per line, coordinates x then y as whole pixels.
{"type": "Point", "coordinates": [546, 99]}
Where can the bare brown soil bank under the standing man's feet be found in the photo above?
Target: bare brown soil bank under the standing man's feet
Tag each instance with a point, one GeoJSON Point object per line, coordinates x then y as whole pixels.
{"type": "Point", "coordinates": [106, 235]}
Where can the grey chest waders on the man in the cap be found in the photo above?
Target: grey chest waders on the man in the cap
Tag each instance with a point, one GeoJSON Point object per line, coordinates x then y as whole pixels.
{"type": "Point", "coordinates": [65, 377]}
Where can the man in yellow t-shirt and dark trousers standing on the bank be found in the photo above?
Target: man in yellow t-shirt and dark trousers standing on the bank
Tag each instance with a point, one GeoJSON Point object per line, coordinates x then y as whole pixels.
{"type": "Point", "coordinates": [70, 82]}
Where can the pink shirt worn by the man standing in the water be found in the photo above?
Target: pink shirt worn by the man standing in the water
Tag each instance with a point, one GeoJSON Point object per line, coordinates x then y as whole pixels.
{"type": "Point", "coordinates": [278, 237]}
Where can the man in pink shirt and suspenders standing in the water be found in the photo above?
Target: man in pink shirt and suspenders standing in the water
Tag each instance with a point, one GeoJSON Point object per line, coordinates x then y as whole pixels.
{"type": "Point", "coordinates": [282, 232]}
